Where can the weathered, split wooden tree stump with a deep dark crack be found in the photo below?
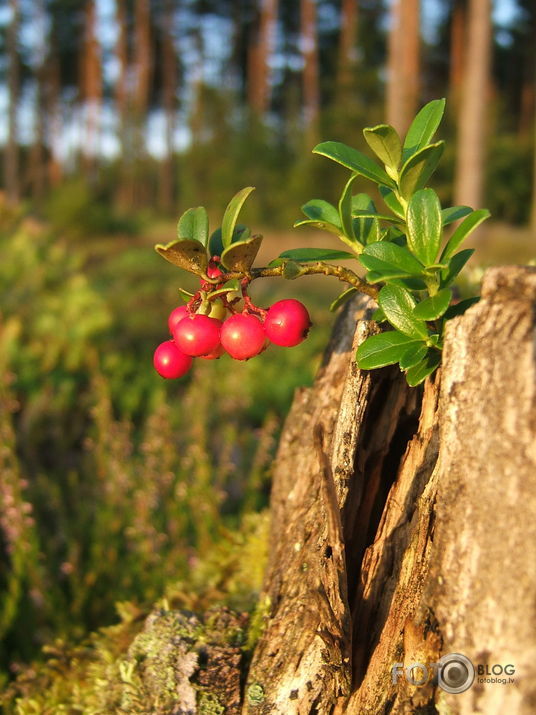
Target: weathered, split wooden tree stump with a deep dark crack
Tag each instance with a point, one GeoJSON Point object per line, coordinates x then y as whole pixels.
{"type": "Point", "coordinates": [404, 524]}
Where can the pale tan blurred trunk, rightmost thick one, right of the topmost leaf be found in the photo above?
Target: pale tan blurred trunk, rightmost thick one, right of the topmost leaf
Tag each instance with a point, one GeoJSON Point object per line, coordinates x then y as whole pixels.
{"type": "Point", "coordinates": [474, 100]}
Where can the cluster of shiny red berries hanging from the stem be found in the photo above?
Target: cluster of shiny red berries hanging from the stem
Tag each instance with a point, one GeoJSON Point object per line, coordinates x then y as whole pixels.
{"type": "Point", "coordinates": [224, 330]}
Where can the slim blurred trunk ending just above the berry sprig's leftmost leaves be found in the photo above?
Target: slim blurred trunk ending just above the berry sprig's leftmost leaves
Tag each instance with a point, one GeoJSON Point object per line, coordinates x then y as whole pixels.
{"type": "Point", "coordinates": [169, 80]}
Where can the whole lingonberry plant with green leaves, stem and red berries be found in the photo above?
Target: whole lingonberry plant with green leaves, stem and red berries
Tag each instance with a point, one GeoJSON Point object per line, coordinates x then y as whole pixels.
{"type": "Point", "coordinates": [409, 267]}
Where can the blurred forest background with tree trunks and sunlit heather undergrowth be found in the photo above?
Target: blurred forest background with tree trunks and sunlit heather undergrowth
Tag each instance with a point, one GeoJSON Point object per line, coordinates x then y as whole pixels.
{"type": "Point", "coordinates": [116, 488]}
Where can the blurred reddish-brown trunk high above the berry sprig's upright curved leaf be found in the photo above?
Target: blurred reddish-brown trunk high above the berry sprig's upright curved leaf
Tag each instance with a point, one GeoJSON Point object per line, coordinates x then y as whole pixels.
{"type": "Point", "coordinates": [260, 51]}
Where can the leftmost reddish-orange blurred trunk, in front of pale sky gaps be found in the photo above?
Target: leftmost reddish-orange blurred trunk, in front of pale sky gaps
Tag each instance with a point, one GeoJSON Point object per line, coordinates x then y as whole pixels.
{"type": "Point", "coordinates": [91, 89]}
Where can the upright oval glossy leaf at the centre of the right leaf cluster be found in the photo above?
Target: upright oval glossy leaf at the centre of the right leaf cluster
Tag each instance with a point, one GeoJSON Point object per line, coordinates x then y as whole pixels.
{"type": "Point", "coordinates": [424, 225]}
